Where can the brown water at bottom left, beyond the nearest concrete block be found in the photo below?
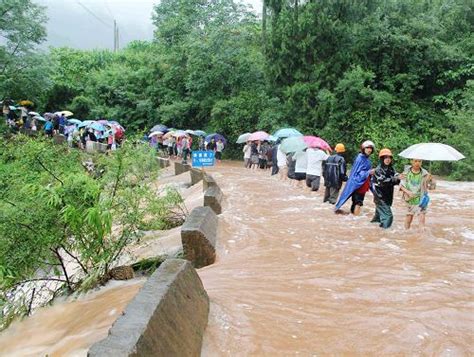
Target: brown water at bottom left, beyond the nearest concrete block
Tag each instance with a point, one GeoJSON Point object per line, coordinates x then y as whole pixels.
{"type": "Point", "coordinates": [69, 328]}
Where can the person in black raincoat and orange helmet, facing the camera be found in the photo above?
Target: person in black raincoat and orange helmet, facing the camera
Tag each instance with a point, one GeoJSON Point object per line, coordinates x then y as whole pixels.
{"type": "Point", "coordinates": [383, 181]}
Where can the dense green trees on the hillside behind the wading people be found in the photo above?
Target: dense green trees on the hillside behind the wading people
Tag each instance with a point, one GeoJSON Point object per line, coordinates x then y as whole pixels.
{"type": "Point", "coordinates": [390, 70]}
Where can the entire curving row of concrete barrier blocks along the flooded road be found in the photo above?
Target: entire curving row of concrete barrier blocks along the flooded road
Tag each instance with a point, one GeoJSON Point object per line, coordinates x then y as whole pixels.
{"type": "Point", "coordinates": [169, 315]}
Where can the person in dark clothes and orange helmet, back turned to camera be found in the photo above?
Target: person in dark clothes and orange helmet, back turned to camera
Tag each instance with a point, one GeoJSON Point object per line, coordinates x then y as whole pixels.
{"type": "Point", "coordinates": [334, 173]}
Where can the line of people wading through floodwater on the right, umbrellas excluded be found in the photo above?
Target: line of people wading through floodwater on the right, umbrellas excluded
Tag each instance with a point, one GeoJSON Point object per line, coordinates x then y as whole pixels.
{"type": "Point", "coordinates": [311, 164]}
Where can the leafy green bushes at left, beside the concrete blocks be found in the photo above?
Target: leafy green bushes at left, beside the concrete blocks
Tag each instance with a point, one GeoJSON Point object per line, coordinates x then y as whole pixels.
{"type": "Point", "coordinates": [67, 219]}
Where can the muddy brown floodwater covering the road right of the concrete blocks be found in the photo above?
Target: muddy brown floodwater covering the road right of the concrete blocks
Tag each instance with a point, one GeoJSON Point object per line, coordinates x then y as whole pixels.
{"type": "Point", "coordinates": [293, 278]}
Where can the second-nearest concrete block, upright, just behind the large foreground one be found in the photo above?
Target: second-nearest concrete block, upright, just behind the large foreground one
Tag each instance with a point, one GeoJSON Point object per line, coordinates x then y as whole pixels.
{"type": "Point", "coordinates": [198, 236]}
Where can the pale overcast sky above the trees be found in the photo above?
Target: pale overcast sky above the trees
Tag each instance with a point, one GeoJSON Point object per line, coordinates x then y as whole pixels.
{"type": "Point", "coordinates": [88, 24]}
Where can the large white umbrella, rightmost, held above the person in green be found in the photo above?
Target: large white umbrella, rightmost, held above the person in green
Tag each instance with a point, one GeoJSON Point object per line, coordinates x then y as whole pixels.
{"type": "Point", "coordinates": [432, 152]}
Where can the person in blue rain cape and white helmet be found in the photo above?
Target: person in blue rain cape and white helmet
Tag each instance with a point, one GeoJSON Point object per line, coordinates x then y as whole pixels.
{"type": "Point", "coordinates": [359, 180]}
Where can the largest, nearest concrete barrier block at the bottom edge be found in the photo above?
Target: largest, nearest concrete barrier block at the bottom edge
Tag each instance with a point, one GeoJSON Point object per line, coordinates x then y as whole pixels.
{"type": "Point", "coordinates": [168, 317]}
